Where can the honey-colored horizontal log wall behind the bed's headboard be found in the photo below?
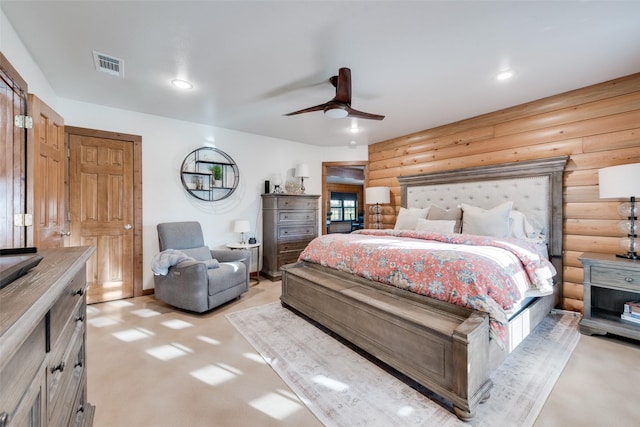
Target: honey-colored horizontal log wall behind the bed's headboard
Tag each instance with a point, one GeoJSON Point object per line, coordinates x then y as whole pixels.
{"type": "Point", "coordinates": [597, 126]}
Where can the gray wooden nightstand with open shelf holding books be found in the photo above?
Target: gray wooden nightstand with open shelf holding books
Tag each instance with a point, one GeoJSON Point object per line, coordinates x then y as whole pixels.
{"type": "Point", "coordinates": [609, 282]}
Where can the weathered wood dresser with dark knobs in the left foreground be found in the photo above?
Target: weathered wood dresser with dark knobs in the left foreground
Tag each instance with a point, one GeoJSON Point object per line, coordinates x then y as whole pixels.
{"type": "Point", "coordinates": [43, 343]}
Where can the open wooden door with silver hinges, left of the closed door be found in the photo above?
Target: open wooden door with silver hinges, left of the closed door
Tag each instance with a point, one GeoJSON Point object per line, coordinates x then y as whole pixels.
{"type": "Point", "coordinates": [46, 169]}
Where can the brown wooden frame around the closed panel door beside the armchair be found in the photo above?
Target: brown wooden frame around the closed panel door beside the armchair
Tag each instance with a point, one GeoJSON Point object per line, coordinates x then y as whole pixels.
{"type": "Point", "coordinates": [136, 140]}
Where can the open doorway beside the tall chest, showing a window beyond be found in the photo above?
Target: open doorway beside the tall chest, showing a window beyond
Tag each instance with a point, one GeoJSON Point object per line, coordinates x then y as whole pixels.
{"type": "Point", "coordinates": [345, 178]}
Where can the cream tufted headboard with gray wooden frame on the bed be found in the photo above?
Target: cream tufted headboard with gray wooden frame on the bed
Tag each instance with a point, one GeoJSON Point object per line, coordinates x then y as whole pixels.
{"type": "Point", "coordinates": [534, 186]}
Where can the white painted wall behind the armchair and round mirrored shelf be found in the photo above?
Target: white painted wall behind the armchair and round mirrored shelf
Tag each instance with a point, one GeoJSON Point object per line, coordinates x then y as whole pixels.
{"type": "Point", "coordinates": [165, 143]}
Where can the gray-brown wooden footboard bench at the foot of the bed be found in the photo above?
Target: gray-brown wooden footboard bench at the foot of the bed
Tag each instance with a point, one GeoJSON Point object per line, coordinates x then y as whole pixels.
{"type": "Point", "coordinates": [442, 347]}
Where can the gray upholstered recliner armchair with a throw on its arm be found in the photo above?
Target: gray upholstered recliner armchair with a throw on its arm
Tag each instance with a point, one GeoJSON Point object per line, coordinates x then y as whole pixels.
{"type": "Point", "coordinates": [190, 285]}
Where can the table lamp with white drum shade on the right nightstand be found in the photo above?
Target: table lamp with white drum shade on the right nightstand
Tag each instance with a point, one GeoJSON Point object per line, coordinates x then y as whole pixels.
{"type": "Point", "coordinates": [621, 182]}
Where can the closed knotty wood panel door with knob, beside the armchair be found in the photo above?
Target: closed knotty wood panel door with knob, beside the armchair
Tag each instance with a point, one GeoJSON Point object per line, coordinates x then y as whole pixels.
{"type": "Point", "coordinates": [102, 212]}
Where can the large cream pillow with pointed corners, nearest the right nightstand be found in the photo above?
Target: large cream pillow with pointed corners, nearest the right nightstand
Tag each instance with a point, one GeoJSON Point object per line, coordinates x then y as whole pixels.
{"type": "Point", "coordinates": [486, 222]}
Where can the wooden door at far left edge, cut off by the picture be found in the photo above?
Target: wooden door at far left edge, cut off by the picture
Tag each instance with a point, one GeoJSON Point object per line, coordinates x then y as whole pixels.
{"type": "Point", "coordinates": [13, 101]}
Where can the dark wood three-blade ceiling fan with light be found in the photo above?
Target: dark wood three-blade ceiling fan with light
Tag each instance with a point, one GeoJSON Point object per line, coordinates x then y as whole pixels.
{"type": "Point", "coordinates": [340, 105]}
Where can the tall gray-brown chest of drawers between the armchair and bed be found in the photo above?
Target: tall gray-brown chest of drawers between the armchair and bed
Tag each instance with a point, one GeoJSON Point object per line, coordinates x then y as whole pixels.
{"type": "Point", "coordinates": [289, 223]}
